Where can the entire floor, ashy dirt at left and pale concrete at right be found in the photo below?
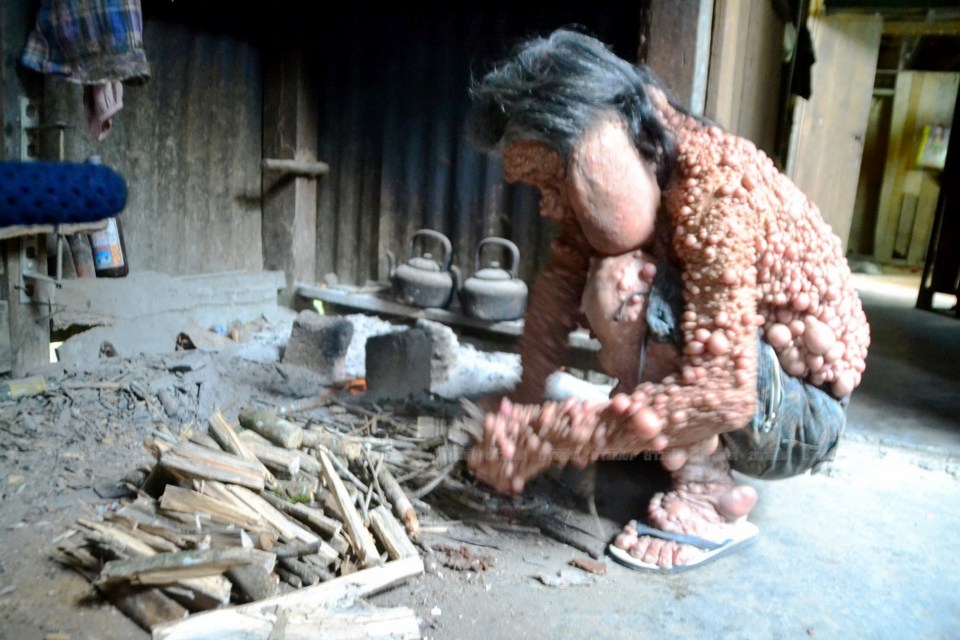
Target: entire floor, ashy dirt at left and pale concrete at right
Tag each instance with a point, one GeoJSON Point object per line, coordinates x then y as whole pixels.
{"type": "Point", "coordinates": [863, 549]}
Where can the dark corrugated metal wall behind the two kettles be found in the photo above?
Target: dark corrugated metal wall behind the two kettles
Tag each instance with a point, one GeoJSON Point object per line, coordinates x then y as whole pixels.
{"type": "Point", "coordinates": [394, 97]}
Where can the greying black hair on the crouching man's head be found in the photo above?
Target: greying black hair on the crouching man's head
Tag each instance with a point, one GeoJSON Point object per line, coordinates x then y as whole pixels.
{"type": "Point", "coordinates": [551, 89]}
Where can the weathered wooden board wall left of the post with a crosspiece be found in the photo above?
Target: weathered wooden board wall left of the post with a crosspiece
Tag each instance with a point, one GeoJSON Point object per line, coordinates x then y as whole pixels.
{"type": "Point", "coordinates": [188, 143]}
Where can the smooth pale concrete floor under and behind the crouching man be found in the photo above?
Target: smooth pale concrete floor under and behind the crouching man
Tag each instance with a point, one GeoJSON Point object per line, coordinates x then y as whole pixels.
{"type": "Point", "coordinates": [864, 549]}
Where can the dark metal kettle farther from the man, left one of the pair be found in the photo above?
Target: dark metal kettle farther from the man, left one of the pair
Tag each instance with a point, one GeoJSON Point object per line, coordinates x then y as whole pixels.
{"type": "Point", "coordinates": [424, 281]}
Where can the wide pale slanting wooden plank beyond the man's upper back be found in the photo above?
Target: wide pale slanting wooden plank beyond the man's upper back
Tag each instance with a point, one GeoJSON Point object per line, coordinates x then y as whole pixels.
{"type": "Point", "coordinates": [830, 127]}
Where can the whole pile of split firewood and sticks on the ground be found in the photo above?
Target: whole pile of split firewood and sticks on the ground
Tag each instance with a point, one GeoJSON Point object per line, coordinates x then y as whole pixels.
{"type": "Point", "coordinates": [270, 525]}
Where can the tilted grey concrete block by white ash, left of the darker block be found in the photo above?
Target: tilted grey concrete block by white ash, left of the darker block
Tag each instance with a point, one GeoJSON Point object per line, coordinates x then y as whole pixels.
{"type": "Point", "coordinates": [319, 343]}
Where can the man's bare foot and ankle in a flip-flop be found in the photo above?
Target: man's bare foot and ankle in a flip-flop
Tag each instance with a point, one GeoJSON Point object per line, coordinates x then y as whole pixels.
{"type": "Point", "coordinates": [704, 502]}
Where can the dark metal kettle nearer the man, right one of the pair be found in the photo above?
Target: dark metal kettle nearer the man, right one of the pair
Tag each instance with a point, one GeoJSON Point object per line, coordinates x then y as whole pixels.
{"type": "Point", "coordinates": [495, 293]}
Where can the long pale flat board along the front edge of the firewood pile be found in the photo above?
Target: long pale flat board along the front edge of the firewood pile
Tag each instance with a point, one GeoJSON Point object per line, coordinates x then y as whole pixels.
{"type": "Point", "coordinates": [257, 620]}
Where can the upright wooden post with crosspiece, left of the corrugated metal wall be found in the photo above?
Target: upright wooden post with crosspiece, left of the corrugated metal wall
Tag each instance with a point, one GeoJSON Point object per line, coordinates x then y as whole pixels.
{"type": "Point", "coordinates": [290, 107]}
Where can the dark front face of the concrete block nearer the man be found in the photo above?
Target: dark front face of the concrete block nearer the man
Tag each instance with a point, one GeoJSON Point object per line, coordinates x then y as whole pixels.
{"type": "Point", "coordinates": [398, 365]}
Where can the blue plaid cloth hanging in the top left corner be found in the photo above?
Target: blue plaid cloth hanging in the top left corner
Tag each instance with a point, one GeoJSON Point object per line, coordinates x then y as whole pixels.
{"type": "Point", "coordinates": [88, 41]}
